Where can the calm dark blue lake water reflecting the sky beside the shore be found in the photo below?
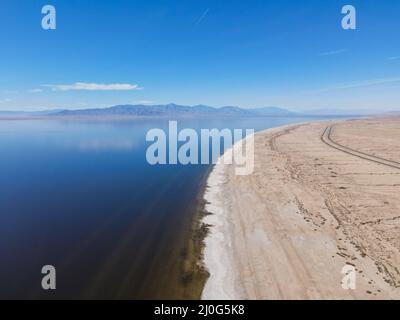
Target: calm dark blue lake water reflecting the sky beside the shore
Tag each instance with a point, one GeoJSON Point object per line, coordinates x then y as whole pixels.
{"type": "Point", "coordinates": [81, 196]}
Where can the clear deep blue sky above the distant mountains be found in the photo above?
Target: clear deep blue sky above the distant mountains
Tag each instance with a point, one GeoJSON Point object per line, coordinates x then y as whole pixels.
{"type": "Point", "coordinates": [287, 53]}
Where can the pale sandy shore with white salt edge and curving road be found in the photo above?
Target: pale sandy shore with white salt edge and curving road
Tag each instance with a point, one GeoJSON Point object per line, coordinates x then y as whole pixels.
{"type": "Point", "coordinates": [322, 196]}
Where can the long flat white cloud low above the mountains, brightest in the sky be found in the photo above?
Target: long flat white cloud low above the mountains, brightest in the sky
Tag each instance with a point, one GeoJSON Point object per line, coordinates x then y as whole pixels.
{"type": "Point", "coordinates": [93, 86]}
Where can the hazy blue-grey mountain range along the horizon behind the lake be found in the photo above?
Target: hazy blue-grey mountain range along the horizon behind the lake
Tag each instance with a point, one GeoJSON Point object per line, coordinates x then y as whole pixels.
{"type": "Point", "coordinates": [174, 110]}
